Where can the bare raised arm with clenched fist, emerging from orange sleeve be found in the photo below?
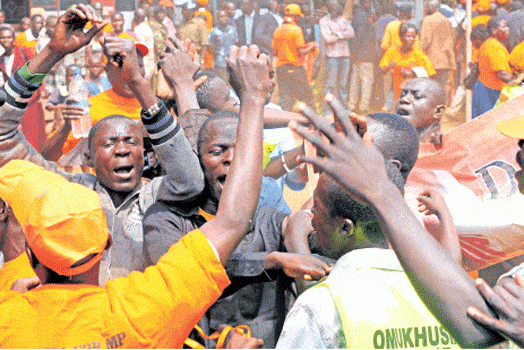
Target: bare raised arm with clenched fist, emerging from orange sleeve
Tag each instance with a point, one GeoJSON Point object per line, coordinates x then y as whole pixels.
{"type": "Point", "coordinates": [238, 202]}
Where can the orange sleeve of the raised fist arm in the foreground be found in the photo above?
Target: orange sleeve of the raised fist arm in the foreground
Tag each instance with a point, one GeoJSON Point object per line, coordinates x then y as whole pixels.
{"type": "Point", "coordinates": [173, 294]}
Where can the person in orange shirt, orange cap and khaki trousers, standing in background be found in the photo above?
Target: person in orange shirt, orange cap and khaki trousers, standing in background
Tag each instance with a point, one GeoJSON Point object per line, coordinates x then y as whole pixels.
{"type": "Point", "coordinates": [290, 48]}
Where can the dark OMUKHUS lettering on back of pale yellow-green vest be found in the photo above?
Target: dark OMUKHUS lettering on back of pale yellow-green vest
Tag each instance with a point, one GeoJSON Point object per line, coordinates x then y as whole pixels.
{"type": "Point", "coordinates": [413, 337]}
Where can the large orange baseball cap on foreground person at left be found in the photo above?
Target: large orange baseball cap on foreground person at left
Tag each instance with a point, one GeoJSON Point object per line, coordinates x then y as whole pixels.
{"type": "Point", "coordinates": [63, 222]}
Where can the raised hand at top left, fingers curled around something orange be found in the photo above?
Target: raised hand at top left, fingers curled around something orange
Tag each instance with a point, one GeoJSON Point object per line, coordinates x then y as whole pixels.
{"type": "Point", "coordinates": [69, 34]}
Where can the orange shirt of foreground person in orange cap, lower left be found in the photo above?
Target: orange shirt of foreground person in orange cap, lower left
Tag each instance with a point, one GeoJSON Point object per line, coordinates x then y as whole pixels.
{"type": "Point", "coordinates": [154, 309]}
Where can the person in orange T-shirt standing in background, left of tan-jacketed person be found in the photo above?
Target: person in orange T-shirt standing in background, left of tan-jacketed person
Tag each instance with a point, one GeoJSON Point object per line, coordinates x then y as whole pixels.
{"type": "Point", "coordinates": [401, 60]}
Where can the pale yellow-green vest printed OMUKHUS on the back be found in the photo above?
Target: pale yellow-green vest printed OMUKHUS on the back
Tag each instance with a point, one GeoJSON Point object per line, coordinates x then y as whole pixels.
{"type": "Point", "coordinates": [389, 315]}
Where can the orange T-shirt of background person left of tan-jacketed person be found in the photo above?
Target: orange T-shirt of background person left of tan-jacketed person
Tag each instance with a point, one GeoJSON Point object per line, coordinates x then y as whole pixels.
{"type": "Point", "coordinates": [414, 58]}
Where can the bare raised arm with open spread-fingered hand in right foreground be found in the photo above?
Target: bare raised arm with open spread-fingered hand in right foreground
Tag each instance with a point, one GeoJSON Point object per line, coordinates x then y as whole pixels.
{"type": "Point", "coordinates": [441, 283]}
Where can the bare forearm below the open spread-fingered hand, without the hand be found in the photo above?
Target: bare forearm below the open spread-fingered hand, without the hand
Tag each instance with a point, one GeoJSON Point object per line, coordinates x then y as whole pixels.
{"type": "Point", "coordinates": [441, 283]}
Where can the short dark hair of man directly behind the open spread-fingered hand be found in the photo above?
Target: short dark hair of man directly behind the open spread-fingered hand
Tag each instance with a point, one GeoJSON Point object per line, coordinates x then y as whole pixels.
{"type": "Point", "coordinates": [396, 138]}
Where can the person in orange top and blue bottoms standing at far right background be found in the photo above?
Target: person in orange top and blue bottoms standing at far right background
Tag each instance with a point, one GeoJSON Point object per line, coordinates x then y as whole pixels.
{"type": "Point", "coordinates": [494, 69]}
